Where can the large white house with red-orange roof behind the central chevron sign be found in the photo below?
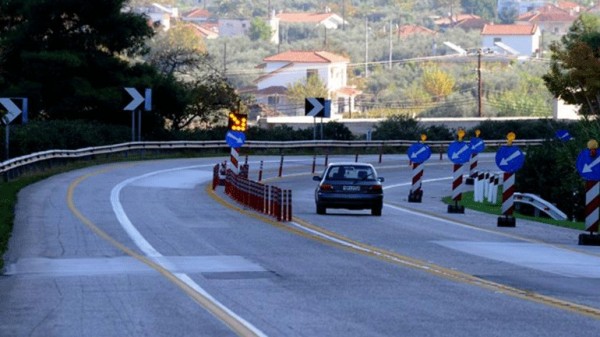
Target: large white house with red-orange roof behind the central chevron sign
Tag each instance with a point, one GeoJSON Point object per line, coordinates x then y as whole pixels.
{"type": "Point", "coordinates": [287, 68]}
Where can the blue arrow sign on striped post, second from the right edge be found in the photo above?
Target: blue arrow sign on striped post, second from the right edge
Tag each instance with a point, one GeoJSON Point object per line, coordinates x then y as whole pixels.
{"type": "Point", "coordinates": [508, 159]}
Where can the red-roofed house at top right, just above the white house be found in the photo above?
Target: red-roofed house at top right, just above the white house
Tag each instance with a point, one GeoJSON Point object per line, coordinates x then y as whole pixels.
{"type": "Point", "coordinates": [550, 18]}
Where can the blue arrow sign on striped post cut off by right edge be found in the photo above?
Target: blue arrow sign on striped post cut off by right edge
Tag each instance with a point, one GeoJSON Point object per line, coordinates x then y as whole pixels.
{"type": "Point", "coordinates": [588, 167]}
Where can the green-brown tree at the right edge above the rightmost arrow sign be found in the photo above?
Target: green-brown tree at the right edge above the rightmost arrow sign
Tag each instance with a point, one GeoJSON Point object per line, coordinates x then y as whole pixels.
{"type": "Point", "coordinates": [574, 74]}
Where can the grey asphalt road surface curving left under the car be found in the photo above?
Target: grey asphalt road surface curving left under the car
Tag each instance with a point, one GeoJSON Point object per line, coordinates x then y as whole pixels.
{"type": "Point", "coordinates": [145, 249]}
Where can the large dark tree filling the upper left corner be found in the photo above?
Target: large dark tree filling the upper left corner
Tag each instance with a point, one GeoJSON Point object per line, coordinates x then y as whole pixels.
{"type": "Point", "coordinates": [68, 56]}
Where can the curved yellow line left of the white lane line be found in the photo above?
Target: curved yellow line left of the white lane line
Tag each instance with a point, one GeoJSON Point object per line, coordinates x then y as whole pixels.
{"type": "Point", "coordinates": [229, 320]}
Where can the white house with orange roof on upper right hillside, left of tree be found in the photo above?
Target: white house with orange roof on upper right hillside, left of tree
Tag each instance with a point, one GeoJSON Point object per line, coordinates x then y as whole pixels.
{"type": "Point", "coordinates": [522, 39]}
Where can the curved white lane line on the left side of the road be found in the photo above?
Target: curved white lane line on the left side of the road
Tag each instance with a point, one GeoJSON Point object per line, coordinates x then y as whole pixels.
{"type": "Point", "coordinates": [147, 248]}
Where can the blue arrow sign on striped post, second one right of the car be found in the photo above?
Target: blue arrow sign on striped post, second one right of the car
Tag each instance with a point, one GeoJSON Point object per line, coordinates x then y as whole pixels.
{"type": "Point", "coordinates": [459, 152]}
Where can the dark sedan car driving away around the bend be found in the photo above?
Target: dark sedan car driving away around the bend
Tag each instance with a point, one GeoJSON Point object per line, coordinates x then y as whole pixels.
{"type": "Point", "coordinates": [349, 186]}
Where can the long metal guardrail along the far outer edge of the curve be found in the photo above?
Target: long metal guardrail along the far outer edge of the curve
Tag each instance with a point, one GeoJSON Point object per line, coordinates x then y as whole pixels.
{"type": "Point", "coordinates": [15, 167]}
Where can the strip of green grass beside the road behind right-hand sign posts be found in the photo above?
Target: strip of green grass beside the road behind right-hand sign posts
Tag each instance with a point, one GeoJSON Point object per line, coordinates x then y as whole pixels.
{"type": "Point", "coordinates": [487, 207]}
